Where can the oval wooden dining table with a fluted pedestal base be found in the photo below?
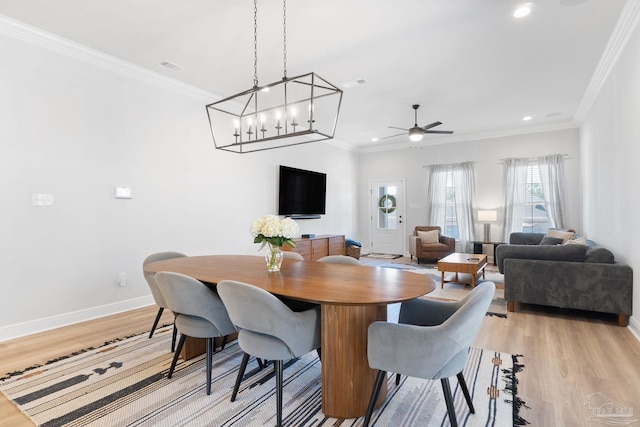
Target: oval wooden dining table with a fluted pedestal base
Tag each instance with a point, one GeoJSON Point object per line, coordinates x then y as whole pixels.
{"type": "Point", "coordinates": [351, 298]}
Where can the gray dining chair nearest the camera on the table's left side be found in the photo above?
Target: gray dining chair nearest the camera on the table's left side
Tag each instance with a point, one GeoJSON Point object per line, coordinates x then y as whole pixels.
{"type": "Point", "coordinates": [268, 329]}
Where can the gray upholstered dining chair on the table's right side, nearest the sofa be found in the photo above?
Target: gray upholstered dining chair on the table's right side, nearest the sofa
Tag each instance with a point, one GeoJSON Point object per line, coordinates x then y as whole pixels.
{"type": "Point", "coordinates": [431, 341]}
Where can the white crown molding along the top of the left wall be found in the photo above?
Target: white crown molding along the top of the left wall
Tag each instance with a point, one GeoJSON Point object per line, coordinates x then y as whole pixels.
{"type": "Point", "coordinates": [35, 36]}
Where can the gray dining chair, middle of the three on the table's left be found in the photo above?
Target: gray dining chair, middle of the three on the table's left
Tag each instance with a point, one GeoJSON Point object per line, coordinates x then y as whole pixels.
{"type": "Point", "coordinates": [199, 313]}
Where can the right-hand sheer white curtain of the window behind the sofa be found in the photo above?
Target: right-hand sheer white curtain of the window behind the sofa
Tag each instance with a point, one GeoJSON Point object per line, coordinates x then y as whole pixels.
{"type": "Point", "coordinates": [554, 191]}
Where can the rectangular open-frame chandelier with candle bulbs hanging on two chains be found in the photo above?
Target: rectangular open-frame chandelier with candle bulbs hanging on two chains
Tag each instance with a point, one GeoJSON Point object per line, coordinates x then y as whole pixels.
{"type": "Point", "coordinates": [292, 111]}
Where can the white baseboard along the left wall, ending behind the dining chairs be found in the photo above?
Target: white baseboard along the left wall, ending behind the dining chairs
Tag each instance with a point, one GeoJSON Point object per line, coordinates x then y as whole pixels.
{"type": "Point", "coordinates": [47, 323]}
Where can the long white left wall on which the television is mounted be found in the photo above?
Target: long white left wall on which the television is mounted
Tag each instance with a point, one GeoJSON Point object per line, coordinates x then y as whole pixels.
{"type": "Point", "coordinates": [76, 130]}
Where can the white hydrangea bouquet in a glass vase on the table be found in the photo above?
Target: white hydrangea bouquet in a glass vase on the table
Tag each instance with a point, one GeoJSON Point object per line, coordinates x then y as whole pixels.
{"type": "Point", "coordinates": [275, 232]}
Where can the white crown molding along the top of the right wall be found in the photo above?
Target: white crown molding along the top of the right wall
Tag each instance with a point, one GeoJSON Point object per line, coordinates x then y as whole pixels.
{"type": "Point", "coordinates": [626, 25]}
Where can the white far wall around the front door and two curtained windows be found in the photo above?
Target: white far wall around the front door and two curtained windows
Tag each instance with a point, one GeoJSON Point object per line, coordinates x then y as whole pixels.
{"type": "Point", "coordinates": [489, 172]}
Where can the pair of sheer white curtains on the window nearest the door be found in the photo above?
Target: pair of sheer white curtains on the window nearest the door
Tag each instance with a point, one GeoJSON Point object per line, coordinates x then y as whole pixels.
{"type": "Point", "coordinates": [463, 181]}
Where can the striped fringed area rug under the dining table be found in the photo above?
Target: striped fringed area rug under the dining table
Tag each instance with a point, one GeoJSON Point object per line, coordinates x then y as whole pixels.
{"type": "Point", "coordinates": [124, 384]}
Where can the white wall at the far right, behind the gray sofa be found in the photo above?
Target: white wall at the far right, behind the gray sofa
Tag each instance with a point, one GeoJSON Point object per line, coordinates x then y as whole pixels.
{"type": "Point", "coordinates": [610, 138]}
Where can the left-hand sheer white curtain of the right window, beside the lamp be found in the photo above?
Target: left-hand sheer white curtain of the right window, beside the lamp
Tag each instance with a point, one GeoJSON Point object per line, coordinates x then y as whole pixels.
{"type": "Point", "coordinates": [515, 194]}
